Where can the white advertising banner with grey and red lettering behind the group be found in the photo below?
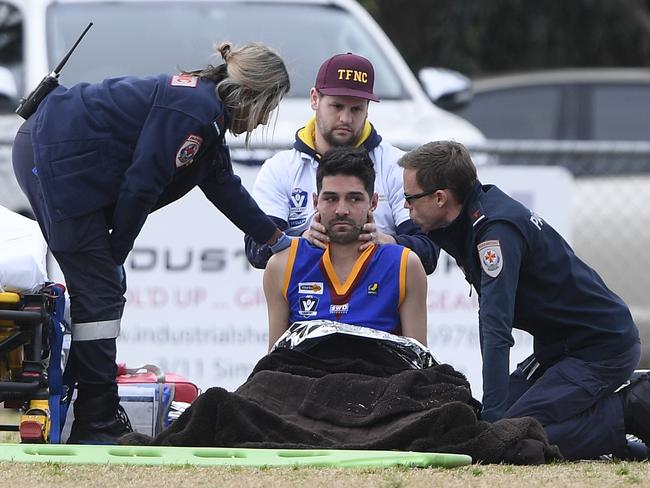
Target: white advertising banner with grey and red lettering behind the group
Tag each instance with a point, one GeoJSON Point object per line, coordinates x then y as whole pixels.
{"type": "Point", "coordinates": [195, 307]}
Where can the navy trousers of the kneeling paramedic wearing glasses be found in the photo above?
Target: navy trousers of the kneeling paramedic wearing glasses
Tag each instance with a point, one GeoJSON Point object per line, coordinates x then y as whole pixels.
{"type": "Point", "coordinates": [575, 401]}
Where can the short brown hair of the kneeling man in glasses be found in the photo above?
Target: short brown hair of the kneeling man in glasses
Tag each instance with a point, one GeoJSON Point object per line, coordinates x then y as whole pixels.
{"type": "Point", "coordinates": [442, 165]}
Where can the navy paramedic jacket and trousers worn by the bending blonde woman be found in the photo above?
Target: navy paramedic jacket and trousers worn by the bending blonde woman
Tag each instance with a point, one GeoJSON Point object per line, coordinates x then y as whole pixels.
{"type": "Point", "coordinates": [100, 157]}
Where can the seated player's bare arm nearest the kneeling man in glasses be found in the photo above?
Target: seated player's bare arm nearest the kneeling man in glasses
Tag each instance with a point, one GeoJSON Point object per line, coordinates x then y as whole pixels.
{"type": "Point", "coordinates": [413, 311]}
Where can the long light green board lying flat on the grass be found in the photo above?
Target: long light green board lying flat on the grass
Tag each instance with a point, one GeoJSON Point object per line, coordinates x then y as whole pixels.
{"type": "Point", "coordinates": [223, 456]}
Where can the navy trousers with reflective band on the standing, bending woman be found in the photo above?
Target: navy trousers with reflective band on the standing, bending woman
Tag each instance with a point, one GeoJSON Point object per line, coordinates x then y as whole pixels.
{"type": "Point", "coordinates": [96, 285]}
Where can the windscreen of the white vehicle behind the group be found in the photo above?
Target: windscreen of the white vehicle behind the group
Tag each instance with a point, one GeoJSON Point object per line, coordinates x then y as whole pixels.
{"type": "Point", "coordinates": [144, 38]}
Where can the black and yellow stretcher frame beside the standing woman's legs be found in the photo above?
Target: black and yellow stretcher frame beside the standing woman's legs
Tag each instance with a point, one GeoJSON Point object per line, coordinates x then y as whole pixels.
{"type": "Point", "coordinates": [31, 377]}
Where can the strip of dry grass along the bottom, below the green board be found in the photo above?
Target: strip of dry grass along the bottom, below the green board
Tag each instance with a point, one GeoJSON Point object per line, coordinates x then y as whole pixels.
{"type": "Point", "coordinates": [573, 475]}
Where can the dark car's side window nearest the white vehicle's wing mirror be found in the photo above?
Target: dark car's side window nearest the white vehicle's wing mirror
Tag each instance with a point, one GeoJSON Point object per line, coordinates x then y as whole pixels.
{"type": "Point", "coordinates": [516, 113]}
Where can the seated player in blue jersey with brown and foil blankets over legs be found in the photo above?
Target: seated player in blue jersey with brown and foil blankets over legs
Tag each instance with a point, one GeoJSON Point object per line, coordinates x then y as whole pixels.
{"type": "Point", "coordinates": [348, 367]}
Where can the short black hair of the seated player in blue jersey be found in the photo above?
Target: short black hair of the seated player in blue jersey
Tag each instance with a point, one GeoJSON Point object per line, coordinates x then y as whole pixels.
{"type": "Point", "coordinates": [349, 161]}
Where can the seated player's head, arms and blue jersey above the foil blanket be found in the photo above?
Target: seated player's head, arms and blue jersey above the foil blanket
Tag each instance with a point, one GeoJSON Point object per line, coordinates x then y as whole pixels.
{"type": "Point", "coordinates": [382, 287]}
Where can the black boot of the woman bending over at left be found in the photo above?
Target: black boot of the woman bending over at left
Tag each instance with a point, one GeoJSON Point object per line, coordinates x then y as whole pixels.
{"type": "Point", "coordinates": [99, 420]}
